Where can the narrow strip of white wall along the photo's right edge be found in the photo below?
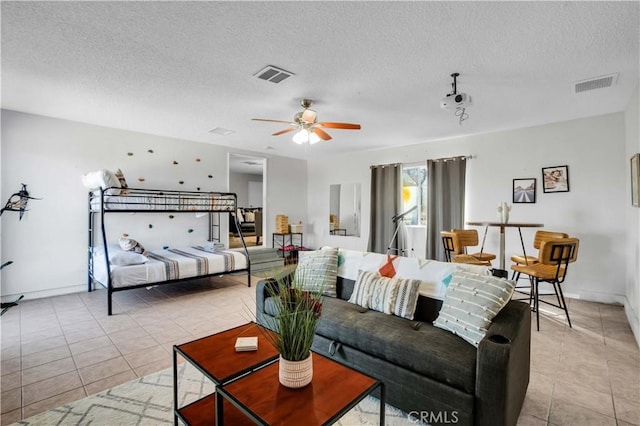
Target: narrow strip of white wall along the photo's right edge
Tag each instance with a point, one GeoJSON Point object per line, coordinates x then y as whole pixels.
{"type": "Point", "coordinates": [632, 290]}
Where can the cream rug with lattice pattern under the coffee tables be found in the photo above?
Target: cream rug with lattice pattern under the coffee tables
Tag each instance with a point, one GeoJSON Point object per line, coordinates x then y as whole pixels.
{"type": "Point", "coordinates": [149, 401]}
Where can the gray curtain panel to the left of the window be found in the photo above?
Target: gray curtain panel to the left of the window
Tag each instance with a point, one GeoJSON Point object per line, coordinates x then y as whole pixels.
{"type": "Point", "coordinates": [386, 191]}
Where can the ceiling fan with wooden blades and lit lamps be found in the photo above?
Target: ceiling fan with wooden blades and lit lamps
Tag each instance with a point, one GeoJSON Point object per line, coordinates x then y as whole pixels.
{"type": "Point", "coordinates": [308, 128]}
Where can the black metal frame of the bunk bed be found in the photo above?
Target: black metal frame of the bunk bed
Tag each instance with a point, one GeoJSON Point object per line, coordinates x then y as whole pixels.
{"type": "Point", "coordinates": [178, 201]}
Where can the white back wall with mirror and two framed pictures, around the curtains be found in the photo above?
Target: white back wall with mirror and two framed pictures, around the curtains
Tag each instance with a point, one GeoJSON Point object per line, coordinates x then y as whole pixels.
{"type": "Point", "coordinates": [593, 210]}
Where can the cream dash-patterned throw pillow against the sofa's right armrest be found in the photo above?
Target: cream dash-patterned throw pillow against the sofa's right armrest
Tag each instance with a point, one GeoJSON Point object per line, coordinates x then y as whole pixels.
{"type": "Point", "coordinates": [470, 304]}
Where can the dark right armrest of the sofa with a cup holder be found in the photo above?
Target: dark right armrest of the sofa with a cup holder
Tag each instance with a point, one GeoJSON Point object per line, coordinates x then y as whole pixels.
{"type": "Point", "coordinates": [502, 366]}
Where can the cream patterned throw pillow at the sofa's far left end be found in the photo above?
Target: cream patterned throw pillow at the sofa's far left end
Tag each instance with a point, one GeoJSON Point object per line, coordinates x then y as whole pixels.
{"type": "Point", "coordinates": [317, 270]}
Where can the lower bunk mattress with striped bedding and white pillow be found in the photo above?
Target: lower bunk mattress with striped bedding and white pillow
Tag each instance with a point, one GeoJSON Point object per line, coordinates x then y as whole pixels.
{"type": "Point", "coordinates": [171, 264]}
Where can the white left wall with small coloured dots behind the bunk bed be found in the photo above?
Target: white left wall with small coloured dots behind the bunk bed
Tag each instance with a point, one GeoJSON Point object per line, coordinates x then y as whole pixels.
{"type": "Point", "coordinates": [49, 245]}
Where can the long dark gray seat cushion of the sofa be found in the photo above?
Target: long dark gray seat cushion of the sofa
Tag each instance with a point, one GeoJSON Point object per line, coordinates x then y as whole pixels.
{"type": "Point", "coordinates": [417, 346]}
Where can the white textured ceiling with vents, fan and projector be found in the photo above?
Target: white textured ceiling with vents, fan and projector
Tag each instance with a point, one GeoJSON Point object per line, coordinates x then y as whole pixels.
{"type": "Point", "coordinates": [180, 69]}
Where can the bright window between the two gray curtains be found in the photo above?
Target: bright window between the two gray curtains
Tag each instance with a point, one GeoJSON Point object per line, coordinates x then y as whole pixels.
{"type": "Point", "coordinates": [414, 193]}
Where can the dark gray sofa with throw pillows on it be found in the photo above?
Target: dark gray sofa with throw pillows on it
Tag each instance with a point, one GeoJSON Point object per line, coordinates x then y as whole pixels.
{"type": "Point", "coordinates": [428, 372]}
